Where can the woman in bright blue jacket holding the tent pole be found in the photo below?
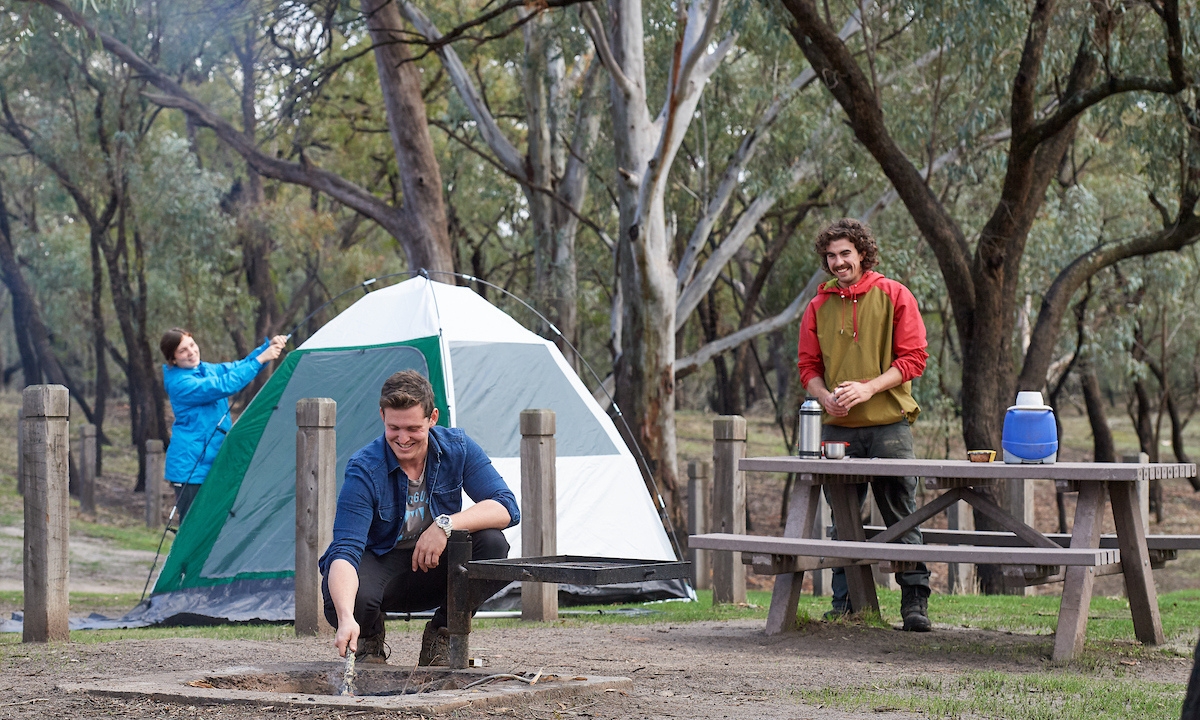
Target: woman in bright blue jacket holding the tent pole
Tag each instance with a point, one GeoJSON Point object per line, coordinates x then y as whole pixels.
{"type": "Point", "coordinates": [199, 394]}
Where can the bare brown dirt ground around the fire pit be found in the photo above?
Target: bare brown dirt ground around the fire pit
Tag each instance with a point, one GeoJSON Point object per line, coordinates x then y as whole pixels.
{"type": "Point", "coordinates": [705, 670]}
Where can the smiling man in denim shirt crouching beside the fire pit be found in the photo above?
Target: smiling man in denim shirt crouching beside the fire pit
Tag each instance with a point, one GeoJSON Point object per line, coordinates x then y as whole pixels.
{"type": "Point", "coordinates": [401, 497]}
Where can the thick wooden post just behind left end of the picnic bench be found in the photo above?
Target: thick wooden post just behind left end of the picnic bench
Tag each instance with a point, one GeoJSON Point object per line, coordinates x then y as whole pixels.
{"type": "Point", "coordinates": [729, 506]}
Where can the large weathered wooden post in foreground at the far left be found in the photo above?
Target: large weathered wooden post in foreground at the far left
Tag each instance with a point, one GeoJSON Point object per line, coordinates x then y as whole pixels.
{"type": "Point", "coordinates": [45, 452]}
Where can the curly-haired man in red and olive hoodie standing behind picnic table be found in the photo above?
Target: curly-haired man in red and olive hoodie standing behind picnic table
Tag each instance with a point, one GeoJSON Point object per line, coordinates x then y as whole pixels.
{"type": "Point", "coordinates": [862, 344]}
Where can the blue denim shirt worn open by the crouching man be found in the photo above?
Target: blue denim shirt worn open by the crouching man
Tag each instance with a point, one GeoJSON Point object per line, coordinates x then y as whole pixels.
{"type": "Point", "coordinates": [371, 505]}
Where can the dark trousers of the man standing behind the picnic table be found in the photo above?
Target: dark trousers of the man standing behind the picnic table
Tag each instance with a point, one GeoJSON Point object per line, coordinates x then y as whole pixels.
{"type": "Point", "coordinates": [896, 497]}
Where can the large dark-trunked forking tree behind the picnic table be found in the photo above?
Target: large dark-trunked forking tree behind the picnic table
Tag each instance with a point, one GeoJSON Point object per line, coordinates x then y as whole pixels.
{"type": "Point", "coordinates": [1117, 53]}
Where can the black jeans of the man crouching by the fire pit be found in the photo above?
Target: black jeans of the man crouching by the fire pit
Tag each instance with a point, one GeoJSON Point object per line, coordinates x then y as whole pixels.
{"type": "Point", "coordinates": [388, 584]}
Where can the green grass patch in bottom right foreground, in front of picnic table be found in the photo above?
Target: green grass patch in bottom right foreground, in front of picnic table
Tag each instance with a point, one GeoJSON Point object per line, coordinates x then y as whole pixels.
{"type": "Point", "coordinates": [1034, 697]}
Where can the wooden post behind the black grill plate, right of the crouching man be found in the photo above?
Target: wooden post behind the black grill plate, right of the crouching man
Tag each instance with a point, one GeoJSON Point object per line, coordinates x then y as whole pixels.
{"type": "Point", "coordinates": [539, 509]}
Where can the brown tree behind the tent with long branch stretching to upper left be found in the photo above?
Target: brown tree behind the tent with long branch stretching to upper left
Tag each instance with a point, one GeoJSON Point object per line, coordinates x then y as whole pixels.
{"type": "Point", "coordinates": [419, 223]}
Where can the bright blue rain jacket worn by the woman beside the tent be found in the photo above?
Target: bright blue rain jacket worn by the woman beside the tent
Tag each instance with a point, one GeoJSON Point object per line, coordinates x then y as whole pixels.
{"type": "Point", "coordinates": [200, 400]}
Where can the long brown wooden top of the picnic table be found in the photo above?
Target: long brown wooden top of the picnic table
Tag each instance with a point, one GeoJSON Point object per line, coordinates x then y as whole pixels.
{"type": "Point", "coordinates": [1107, 472]}
